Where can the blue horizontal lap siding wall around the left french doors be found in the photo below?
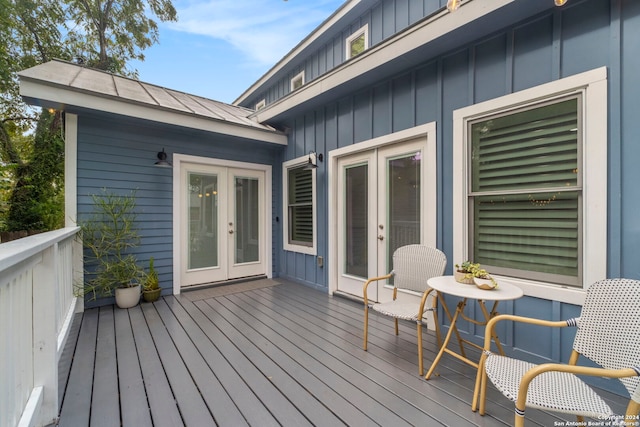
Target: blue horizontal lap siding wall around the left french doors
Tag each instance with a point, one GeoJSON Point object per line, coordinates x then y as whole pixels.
{"type": "Point", "coordinates": [118, 153]}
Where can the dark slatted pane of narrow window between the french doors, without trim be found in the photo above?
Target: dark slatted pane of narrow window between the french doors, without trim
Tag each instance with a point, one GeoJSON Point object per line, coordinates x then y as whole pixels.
{"type": "Point", "coordinates": [300, 206]}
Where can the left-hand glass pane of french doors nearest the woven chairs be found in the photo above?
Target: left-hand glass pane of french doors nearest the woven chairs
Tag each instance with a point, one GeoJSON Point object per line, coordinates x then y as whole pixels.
{"type": "Point", "coordinates": [357, 219]}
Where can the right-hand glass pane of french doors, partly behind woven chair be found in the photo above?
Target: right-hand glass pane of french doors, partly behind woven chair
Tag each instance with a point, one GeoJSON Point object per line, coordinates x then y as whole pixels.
{"type": "Point", "coordinates": [403, 205]}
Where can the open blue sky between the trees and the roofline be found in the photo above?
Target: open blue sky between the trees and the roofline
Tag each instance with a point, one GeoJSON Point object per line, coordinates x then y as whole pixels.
{"type": "Point", "coordinates": [218, 48]}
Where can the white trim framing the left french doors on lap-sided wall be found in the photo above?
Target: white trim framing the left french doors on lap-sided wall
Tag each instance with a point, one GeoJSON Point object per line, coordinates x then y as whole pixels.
{"type": "Point", "coordinates": [178, 161]}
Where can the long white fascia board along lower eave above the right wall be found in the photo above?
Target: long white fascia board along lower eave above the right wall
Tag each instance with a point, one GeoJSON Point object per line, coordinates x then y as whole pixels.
{"type": "Point", "coordinates": [430, 30]}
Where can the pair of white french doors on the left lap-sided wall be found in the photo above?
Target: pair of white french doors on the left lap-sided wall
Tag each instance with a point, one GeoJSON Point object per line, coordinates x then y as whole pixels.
{"type": "Point", "coordinates": [223, 223]}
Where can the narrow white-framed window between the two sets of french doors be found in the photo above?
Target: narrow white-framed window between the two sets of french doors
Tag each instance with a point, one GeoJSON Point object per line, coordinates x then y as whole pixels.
{"type": "Point", "coordinates": [299, 206]}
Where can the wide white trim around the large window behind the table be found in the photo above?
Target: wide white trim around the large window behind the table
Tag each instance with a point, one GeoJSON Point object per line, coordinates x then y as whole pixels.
{"type": "Point", "coordinates": [593, 85]}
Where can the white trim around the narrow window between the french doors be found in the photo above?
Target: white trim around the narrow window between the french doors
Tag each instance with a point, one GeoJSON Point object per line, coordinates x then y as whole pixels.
{"type": "Point", "coordinates": [309, 250]}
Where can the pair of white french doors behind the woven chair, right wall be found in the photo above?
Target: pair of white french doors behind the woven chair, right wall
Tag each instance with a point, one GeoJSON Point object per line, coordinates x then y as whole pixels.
{"type": "Point", "coordinates": [381, 206]}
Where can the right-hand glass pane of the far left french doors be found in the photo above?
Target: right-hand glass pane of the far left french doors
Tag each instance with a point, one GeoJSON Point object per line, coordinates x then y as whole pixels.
{"type": "Point", "coordinates": [247, 220]}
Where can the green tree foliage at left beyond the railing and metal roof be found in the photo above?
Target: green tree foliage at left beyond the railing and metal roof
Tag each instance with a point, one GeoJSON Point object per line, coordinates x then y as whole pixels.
{"type": "Point", "coordinates": [105, 34]}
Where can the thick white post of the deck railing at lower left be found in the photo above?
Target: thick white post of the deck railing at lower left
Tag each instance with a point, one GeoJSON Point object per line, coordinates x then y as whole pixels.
{"type": "Point", "coordinates": [45, 344]}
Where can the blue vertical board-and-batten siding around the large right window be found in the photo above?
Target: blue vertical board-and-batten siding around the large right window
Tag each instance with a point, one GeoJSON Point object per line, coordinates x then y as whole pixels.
{"type": "Point", "coordinates": [581, 36]}
